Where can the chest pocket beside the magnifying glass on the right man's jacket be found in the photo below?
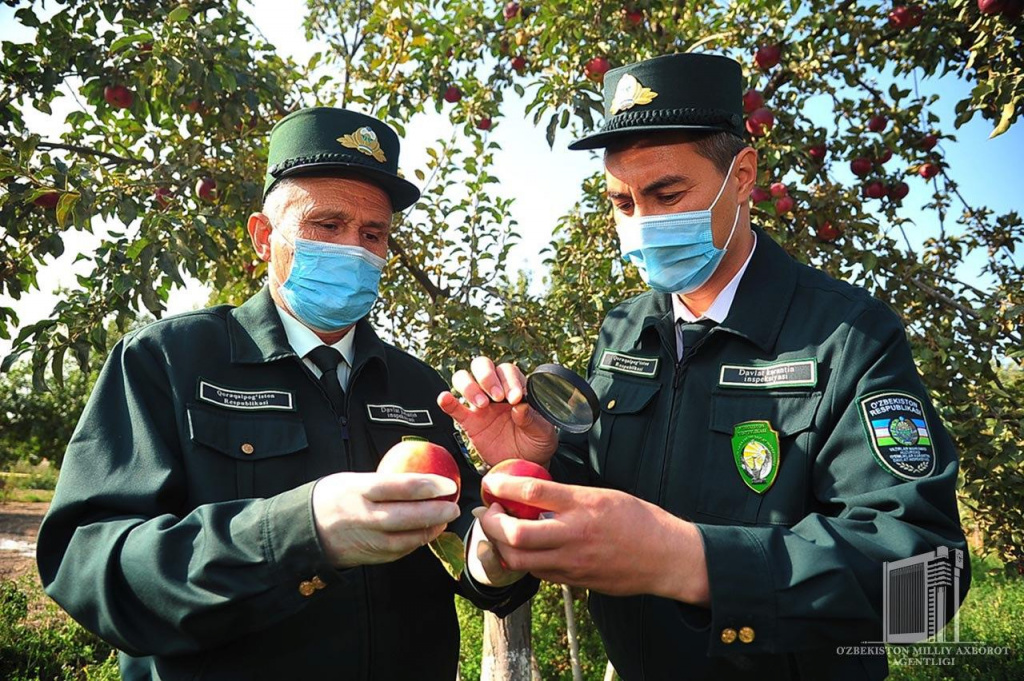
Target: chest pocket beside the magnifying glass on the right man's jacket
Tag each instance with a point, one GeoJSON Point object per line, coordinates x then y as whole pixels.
{"type": "Point", "coordinates": [620, 437]}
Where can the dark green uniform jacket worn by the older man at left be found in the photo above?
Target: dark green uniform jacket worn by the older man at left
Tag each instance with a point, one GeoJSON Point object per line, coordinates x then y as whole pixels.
{"type": "Point", "coordinates": [182, 530]}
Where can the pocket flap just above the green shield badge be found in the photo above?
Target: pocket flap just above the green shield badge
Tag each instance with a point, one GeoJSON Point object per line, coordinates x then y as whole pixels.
{"type": "Point", "coordinates": [788, 414]}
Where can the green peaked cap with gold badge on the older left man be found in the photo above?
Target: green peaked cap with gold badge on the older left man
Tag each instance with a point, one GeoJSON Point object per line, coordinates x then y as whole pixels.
{"type": "Point", "coordinates": [323, 142]}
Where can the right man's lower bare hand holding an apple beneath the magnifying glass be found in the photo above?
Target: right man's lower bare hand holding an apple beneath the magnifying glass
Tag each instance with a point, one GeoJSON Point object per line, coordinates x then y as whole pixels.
{"type": "Point", "coordinates": [600, 539]}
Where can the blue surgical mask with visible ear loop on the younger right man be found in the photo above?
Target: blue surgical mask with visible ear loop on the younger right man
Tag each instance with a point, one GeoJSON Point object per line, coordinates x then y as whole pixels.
{"type": "Point", "coordinates": [675, 253]}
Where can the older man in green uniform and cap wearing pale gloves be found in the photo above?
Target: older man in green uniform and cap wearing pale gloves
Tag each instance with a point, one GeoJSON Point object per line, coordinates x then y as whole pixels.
{"type": "Point", "coordinates": [218, 515]}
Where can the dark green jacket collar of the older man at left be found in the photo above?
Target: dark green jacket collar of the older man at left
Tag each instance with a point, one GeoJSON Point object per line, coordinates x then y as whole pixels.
{"type": "Point", "coordinates": [258, 335]}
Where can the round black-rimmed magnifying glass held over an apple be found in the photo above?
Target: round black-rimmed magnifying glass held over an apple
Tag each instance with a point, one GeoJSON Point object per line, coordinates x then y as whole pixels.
{"type": "Point", "coordinates": [564, 398]}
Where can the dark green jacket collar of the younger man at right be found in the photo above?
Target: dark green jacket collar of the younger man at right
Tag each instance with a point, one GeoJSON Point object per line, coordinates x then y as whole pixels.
{"type": "Point", "coordinates": [759, 309]}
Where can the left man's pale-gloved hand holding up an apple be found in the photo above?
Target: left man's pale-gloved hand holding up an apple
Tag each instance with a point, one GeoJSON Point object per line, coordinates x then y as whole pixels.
{"type": "Point", "coordinates": [368, 519]}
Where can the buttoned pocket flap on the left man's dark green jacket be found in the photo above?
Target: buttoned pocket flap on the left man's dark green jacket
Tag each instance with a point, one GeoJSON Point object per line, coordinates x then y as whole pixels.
{"type": "Point", "coordinates": [247, 437]}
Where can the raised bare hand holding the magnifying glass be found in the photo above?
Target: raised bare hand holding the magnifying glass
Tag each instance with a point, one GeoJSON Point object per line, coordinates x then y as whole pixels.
{"type": "Point", "coordinates": [498, 421]}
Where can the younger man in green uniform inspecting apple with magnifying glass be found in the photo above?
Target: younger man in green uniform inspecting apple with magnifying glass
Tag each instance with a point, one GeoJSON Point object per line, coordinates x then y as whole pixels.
{"type": "Point", "coordinates": [764, 442]}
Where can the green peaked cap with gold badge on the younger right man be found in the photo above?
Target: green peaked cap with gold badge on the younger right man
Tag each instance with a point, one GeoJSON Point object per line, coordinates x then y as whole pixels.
{"type": "Point", "coordinates": [671, 93]}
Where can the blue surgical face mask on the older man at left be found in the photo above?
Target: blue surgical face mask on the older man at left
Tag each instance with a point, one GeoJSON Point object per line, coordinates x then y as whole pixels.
{"type": "Point", "coordinates": [331, 286]}
